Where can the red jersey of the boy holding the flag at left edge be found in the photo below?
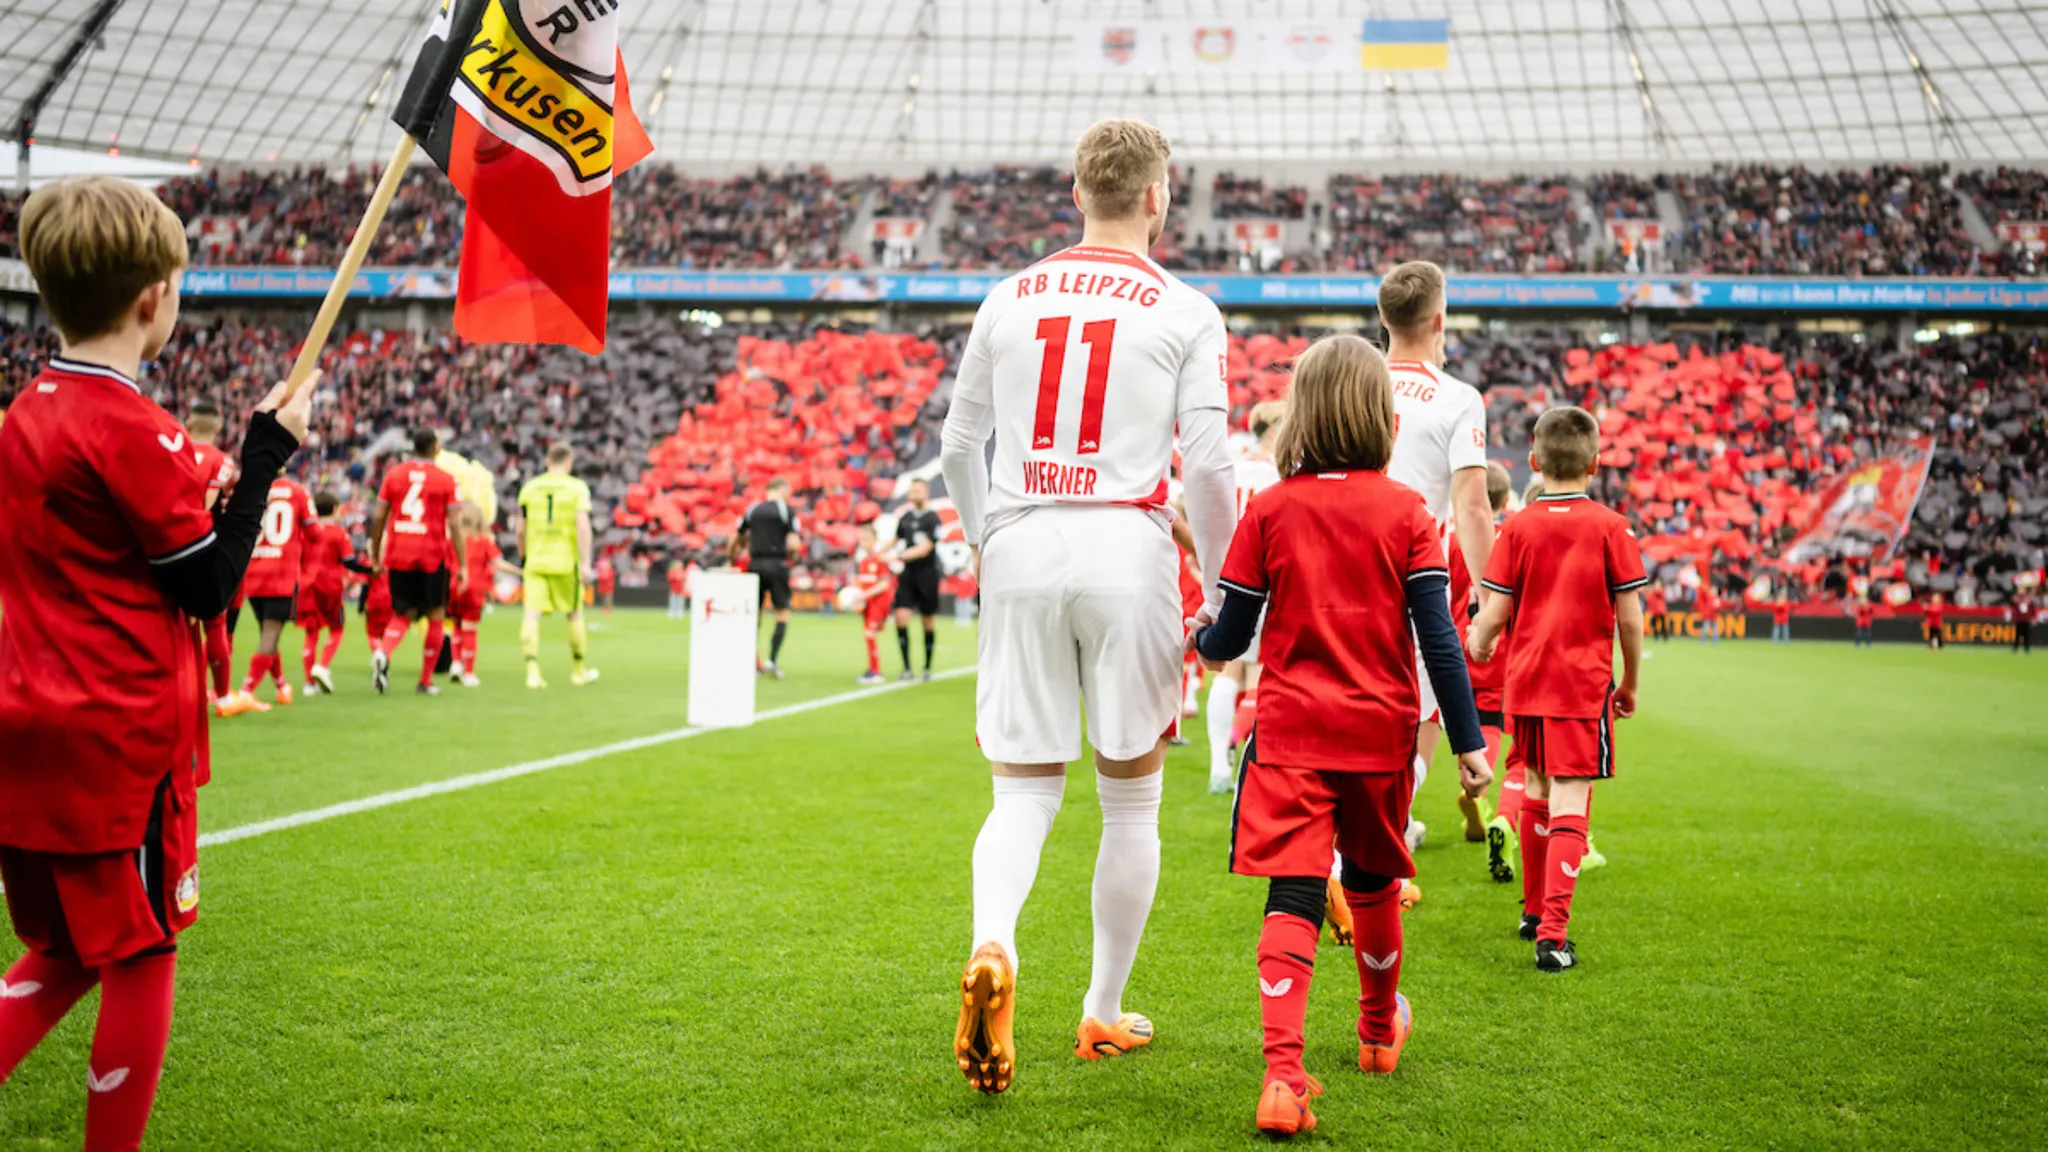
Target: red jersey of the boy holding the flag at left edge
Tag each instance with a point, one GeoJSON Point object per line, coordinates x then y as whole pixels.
{"type": "Point", "coordinates": [101, 675]}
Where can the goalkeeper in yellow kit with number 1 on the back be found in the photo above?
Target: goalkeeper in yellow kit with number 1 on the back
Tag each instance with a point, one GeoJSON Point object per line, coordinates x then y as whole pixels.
{"type": "Point", "coordinates": [556, 540]}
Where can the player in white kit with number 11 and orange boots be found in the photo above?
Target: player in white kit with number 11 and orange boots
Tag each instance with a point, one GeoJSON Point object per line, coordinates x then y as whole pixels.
{"type": "Point", "coordinates": [1082, 368]}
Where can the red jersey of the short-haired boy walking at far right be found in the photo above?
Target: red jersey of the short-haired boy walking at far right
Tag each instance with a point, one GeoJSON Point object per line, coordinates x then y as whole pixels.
{"type": "Point", "coordinates": [1564, 561]}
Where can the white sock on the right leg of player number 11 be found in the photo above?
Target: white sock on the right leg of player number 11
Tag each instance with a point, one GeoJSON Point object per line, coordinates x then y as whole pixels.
{"type": "Point", "coordinates": [1127, 876]}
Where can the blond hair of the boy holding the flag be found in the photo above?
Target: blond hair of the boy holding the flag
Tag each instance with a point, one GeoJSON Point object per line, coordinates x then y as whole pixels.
{"type": "Point", "coordinates": [93, 247]}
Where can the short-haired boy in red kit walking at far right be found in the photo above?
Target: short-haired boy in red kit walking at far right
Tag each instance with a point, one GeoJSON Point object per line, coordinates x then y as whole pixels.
{"type": "Point", "coordinates": [1564, 579]}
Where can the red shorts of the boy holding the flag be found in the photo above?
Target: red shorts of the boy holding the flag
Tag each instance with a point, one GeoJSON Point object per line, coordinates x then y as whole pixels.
{"type": "Point", "coordinates": [110, 907]}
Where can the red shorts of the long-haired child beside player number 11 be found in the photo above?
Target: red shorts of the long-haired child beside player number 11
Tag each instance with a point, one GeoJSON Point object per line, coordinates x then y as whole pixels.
{"type": "Point", "coordinates": [1287, 819]}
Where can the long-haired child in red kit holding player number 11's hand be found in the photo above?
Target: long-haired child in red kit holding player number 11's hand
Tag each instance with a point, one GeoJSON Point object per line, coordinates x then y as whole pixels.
{"type": "Point", "coordinates": [1332, 759]}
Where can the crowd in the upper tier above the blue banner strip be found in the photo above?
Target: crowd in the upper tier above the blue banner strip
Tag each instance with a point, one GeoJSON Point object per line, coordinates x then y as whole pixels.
{"type": "Point", "coordinates": [1744, 220]}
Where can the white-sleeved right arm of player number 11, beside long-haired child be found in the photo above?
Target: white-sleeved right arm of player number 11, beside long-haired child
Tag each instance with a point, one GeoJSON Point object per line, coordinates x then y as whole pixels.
{"type": "Point", "coordinates": [1209, 477]}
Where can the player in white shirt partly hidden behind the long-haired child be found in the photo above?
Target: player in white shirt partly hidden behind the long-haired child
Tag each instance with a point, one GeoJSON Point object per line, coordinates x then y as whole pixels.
{"type": "Point", "coordinates": [1441, 452]}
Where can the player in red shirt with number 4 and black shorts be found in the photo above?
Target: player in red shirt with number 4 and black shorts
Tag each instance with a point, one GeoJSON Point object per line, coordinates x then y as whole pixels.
{"type": "Point", "coordinates": [415, 552]}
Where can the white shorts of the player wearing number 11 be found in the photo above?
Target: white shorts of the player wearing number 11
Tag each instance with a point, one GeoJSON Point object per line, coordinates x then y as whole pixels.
{"type": "Point", "coordinates": [1078, 606]}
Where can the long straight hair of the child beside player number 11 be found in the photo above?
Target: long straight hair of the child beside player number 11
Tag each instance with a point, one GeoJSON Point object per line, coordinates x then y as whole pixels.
{"type": "Point", "coordinates": [1340, 411]}
